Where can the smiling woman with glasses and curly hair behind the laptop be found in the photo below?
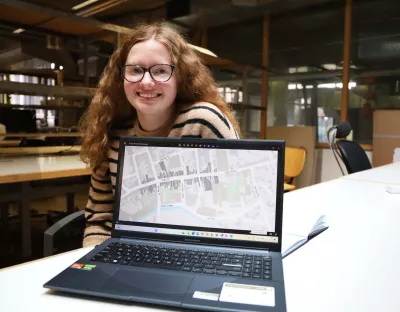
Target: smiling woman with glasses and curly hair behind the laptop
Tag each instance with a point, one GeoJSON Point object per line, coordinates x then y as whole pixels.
{"type": "Point", "coordinates": [154, 85]}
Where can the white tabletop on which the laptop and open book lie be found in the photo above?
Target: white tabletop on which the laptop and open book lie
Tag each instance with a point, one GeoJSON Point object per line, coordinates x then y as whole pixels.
{"type": "Point", "coordinates": [353, 266]}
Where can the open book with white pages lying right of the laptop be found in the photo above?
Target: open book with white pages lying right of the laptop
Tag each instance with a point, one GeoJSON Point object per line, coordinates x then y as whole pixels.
{"type": "Point", "coordinates": [299, 226]}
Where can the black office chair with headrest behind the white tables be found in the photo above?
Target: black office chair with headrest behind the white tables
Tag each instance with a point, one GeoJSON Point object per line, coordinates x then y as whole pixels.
{"type": "Point", "coordinates": [351, 153]}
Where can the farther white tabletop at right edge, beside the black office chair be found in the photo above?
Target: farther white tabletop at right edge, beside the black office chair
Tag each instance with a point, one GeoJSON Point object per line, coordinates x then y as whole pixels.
{"type": "Point", "coordinates": [389, 174]}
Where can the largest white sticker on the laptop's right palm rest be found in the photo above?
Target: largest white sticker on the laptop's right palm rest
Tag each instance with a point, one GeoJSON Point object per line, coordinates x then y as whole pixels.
{"type": "Point", "coordinates": [248, 294]}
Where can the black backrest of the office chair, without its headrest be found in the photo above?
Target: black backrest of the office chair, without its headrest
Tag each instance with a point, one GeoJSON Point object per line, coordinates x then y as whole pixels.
{"type": "Point", "coordinates": [354, 157]}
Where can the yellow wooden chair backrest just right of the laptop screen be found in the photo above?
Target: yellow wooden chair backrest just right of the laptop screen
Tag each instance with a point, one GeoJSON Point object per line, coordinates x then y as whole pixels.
{"type": "Point", "coordinates": [295, 158]}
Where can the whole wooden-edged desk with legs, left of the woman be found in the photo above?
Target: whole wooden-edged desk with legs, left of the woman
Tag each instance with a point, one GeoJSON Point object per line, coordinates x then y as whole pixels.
{"type": "Point", "coordinates": [23, 170]}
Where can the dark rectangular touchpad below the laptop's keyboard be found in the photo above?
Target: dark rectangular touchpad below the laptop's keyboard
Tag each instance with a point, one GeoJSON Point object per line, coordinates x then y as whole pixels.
{"type": "Point", "coordinates": [161, 285]}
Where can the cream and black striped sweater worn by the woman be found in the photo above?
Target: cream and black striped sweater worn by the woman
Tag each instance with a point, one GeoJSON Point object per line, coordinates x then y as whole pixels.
{"type": "Point", "coordinates": [201, 120]}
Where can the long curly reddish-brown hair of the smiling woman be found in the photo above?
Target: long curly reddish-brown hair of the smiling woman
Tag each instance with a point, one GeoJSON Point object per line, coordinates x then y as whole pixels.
{"type": "Point", "coordinates": [109, 106]}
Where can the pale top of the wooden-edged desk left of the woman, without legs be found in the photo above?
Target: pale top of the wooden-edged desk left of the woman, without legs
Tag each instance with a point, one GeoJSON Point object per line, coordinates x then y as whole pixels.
{"type": "Point", "coordinates": [19, 169]}
